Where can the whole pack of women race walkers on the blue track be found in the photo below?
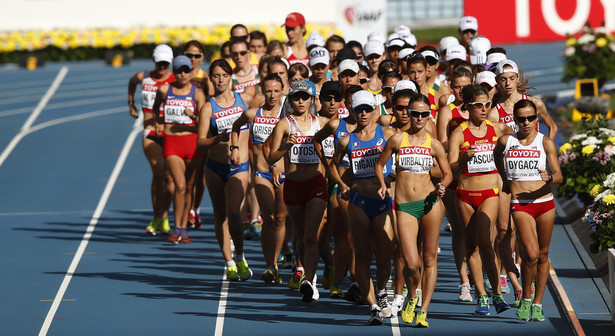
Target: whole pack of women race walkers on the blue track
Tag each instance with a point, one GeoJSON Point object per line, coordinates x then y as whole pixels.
{"type": "Point", "coordinates": [366, 146]}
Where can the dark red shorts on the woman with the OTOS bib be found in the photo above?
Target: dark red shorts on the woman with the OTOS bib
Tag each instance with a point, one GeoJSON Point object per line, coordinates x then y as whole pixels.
{"type": "Point", "coordinates": [300, 192]}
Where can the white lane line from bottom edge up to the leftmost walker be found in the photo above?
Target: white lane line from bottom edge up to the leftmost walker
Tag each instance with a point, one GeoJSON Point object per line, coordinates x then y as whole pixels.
{"type": "Point", "coordinates": [136, 130]}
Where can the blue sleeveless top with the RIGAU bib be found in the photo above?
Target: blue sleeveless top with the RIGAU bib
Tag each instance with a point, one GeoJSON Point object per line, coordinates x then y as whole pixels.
{"type": "Point", "coordinates": [364, 154]}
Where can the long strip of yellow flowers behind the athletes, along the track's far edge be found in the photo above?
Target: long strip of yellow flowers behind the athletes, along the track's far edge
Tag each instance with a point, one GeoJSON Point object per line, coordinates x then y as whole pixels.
{"type": "Point", "coordinates": [126, 38]}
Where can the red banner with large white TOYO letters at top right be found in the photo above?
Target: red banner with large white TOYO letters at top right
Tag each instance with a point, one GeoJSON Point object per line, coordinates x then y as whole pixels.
{"type": "Point", "coordinates": [507, 21]}
